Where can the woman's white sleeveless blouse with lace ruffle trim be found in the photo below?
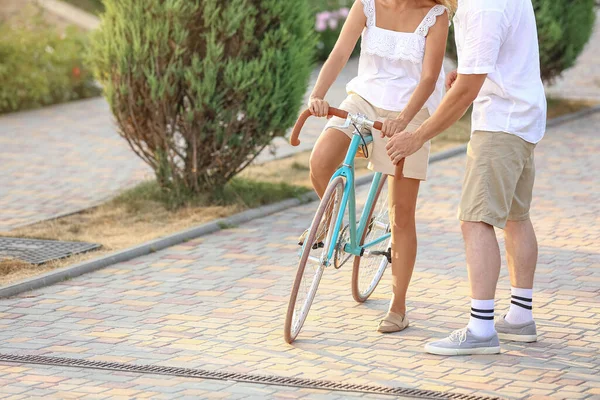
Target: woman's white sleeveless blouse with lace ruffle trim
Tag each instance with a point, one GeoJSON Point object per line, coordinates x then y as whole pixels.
{"type": "Point", "coordinates": [391, 63]}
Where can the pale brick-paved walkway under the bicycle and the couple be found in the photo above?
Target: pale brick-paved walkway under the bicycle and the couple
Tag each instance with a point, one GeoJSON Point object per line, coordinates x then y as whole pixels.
{"type": "Point", "coordinates": [218, 303]}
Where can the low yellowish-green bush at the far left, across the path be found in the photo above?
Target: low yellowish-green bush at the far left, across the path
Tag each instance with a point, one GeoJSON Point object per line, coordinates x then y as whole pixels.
{"type": "Point", "coordinates": [39, 66]}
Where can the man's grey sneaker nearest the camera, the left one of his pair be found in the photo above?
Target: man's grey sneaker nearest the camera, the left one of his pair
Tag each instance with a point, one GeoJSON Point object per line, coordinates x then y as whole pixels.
{"type": "Point", "coordinates": [462, 342]}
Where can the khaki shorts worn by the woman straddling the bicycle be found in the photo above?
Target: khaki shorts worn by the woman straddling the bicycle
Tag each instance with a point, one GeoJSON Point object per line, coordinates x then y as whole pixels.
{"type": "Point", "coordinates": [415, 166]}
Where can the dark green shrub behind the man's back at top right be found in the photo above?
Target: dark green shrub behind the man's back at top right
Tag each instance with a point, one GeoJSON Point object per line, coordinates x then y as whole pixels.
{"type": "Point", "coordinates": [564, 28]}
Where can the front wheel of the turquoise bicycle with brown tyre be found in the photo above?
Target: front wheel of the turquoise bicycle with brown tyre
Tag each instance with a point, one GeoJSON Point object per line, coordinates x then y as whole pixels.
{"type": "Point", "coordinates": [310, 268]}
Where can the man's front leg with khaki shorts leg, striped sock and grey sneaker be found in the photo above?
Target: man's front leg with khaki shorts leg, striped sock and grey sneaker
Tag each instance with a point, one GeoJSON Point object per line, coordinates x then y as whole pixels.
{"type": "Point", "coordinates": [494, 164]}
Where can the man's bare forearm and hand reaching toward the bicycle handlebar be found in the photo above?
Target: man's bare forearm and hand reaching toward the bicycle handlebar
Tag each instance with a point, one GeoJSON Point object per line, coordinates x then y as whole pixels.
{"type": "Point", "coordinates": [453, 107]}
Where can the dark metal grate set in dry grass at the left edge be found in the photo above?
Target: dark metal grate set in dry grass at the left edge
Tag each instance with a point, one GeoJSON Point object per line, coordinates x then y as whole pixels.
{"type": "Point", "coordinates": [38, 252]}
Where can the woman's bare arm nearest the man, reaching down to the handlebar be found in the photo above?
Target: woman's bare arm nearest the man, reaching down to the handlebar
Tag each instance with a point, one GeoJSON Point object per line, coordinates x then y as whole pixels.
{"type": "Point", "coordinates": [435, 49]}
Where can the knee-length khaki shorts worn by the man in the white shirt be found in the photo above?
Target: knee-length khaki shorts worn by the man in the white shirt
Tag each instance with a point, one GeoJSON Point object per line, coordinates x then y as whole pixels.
{"type": "Point", "coordinates": [498, 182]}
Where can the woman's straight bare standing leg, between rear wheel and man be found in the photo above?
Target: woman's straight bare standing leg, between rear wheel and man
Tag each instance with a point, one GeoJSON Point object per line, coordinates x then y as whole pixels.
{"type": "Point", "coordinates": [403, 195]}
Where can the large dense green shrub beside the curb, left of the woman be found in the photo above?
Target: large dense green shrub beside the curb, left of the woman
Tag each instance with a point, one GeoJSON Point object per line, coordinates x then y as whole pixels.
{"type": "Point", "coordinates": [200, 88]}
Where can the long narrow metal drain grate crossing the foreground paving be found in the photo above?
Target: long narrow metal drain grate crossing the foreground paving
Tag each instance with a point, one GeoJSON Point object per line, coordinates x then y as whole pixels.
{"type": "Point", "coordinates": [237, 377]}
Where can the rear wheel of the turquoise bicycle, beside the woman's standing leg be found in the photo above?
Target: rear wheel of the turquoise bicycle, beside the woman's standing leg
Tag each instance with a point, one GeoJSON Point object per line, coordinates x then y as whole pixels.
{"type": "Point", "coordinates": [368, 271]}
